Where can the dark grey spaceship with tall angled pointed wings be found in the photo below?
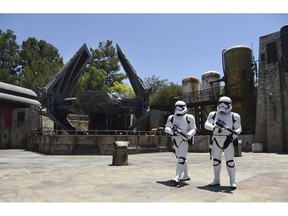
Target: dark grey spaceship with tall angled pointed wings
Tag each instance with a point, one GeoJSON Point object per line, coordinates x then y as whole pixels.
{"type": "Point", "coordinates": [105, 111]}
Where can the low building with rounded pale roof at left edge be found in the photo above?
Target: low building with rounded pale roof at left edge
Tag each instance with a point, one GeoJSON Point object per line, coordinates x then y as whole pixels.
{"type": "Point", "coordinates": [18, 116]}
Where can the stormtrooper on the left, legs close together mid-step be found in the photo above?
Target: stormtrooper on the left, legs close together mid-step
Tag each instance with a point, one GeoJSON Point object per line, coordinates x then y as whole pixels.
{"type": "Point", "coordinates": [182, 127]}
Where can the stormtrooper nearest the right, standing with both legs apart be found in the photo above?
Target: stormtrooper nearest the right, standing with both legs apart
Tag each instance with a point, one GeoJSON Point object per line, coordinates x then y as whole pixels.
{"type": "Point", "coordinates": [226, 127]}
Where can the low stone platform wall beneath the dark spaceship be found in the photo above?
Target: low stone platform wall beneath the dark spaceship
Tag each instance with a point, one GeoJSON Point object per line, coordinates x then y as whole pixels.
{"type": "Point", "coordinates": [103, 145]}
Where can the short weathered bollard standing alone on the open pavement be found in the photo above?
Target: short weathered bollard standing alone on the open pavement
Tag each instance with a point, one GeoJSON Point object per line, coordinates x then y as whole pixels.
{"type": "Point", "coordinates": [120, 153]}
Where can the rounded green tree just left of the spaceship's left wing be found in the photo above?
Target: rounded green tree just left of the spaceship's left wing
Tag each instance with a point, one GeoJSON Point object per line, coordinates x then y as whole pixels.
{"type": "Point", "coordinates": [40, 61]}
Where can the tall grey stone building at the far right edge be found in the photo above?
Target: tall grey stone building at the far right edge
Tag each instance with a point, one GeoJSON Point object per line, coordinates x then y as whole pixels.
{"type": "Point", "coordinates": [272, 95]}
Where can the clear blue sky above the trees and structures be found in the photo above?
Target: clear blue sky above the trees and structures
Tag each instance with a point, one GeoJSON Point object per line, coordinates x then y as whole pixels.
{"type": "Point", "coordinates": [168, 45]}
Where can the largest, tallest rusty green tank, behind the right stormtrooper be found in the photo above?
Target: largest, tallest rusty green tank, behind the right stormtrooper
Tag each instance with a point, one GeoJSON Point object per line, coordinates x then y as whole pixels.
{"type": "Point", "coordinates": [239, 84]}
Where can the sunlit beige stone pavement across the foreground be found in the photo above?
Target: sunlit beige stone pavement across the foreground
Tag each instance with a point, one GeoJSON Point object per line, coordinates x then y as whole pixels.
{"type": "Point", "coordinates": [32, 177]}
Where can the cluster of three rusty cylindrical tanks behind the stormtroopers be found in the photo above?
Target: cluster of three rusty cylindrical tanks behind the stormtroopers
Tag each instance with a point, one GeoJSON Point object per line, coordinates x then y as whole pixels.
{"type": "Point", "coordinates": [239, 84]}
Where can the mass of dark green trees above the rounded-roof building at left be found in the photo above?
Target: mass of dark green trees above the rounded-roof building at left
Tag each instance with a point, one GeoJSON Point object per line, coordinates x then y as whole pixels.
{"type": "Point", "coordinates": [32, 65]}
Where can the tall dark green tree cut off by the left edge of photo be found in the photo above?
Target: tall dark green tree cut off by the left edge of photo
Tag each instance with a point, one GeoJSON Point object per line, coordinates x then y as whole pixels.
{"type": "Point", "coordinates": [9, 57]}
